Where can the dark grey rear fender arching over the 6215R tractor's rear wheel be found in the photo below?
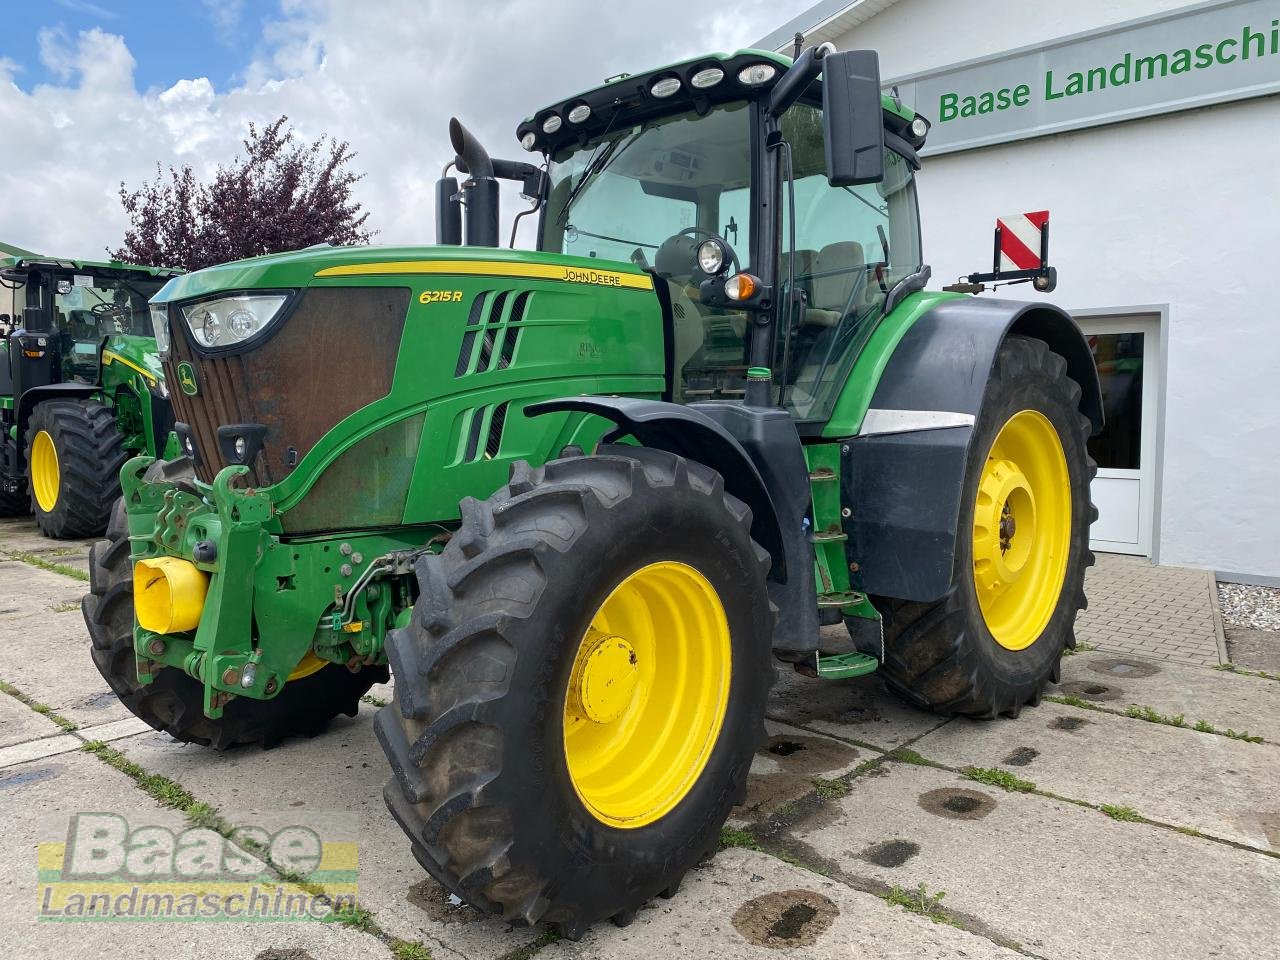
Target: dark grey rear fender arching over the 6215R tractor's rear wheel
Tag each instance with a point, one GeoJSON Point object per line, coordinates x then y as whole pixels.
{"type": "Point", "coordinates": [904, 473]}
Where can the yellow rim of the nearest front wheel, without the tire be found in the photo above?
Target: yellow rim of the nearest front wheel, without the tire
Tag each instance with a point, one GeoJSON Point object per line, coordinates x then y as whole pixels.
{"type": "Point", "coordinates": [647, 696]}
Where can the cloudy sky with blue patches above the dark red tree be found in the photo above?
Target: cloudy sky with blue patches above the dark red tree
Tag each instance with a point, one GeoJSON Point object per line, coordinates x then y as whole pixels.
{"type": "Point", "coordinates": [98, 93]}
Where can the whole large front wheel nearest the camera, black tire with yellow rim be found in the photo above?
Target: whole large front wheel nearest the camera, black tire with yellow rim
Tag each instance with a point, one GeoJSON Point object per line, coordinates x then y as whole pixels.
{"type": "Point", "coordinates": [582, 688]}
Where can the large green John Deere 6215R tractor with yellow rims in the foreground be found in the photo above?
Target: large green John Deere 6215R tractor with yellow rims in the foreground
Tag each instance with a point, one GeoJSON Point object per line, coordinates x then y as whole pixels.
{"type": "Point", "coordinates": [583, 500]}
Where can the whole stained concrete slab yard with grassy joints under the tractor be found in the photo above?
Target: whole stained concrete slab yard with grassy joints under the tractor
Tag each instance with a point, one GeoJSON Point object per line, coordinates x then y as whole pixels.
{"type": "Point", "coordinates": [871, 830]}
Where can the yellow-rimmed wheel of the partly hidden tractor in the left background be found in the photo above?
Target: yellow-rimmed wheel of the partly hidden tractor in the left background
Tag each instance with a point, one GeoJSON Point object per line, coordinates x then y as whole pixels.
{"type": "Point", "coordinates": [75, 454]}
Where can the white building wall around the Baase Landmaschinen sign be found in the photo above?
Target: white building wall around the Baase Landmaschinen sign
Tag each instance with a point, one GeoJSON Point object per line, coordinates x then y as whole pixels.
{"type": "Point", "coordinates": [1180, 211]}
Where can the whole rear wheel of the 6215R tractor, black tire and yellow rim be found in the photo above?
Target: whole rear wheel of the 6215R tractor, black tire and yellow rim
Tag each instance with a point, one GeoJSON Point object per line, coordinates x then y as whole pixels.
{"type": "Point", "coordinates": [1022, 548]}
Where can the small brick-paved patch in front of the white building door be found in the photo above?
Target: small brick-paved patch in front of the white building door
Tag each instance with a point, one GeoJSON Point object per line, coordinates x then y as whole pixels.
{"type": "Point", "coordinates": [1168, 614]}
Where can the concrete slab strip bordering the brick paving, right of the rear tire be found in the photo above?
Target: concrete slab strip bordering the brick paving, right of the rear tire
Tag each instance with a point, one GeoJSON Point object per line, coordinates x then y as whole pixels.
{"type": "Point", "coordinates": [1227, 701]}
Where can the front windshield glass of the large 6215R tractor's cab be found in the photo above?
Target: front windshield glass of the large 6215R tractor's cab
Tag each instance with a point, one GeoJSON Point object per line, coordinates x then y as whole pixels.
{"type": "Point", "coordinates": [650, 195]}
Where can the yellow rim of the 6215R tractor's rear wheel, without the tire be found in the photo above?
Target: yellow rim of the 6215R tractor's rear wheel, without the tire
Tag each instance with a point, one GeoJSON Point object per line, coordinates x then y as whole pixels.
{"type": "Point", "coordinates": [1022, 531]}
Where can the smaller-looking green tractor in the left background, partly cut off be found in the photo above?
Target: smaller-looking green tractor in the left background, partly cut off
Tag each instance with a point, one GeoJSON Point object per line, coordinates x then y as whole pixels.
{"type": "Point", "coordinates": [81, 387]}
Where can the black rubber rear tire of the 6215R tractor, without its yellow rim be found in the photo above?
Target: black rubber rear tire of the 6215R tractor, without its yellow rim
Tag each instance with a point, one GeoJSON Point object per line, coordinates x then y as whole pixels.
{"type": "Point", "coordinates": [943, 656]}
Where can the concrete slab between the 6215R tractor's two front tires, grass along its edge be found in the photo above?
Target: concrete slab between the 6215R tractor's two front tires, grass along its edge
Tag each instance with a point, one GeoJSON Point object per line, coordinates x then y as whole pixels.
{"type": "Point", "coordinates": [335, 785]}
